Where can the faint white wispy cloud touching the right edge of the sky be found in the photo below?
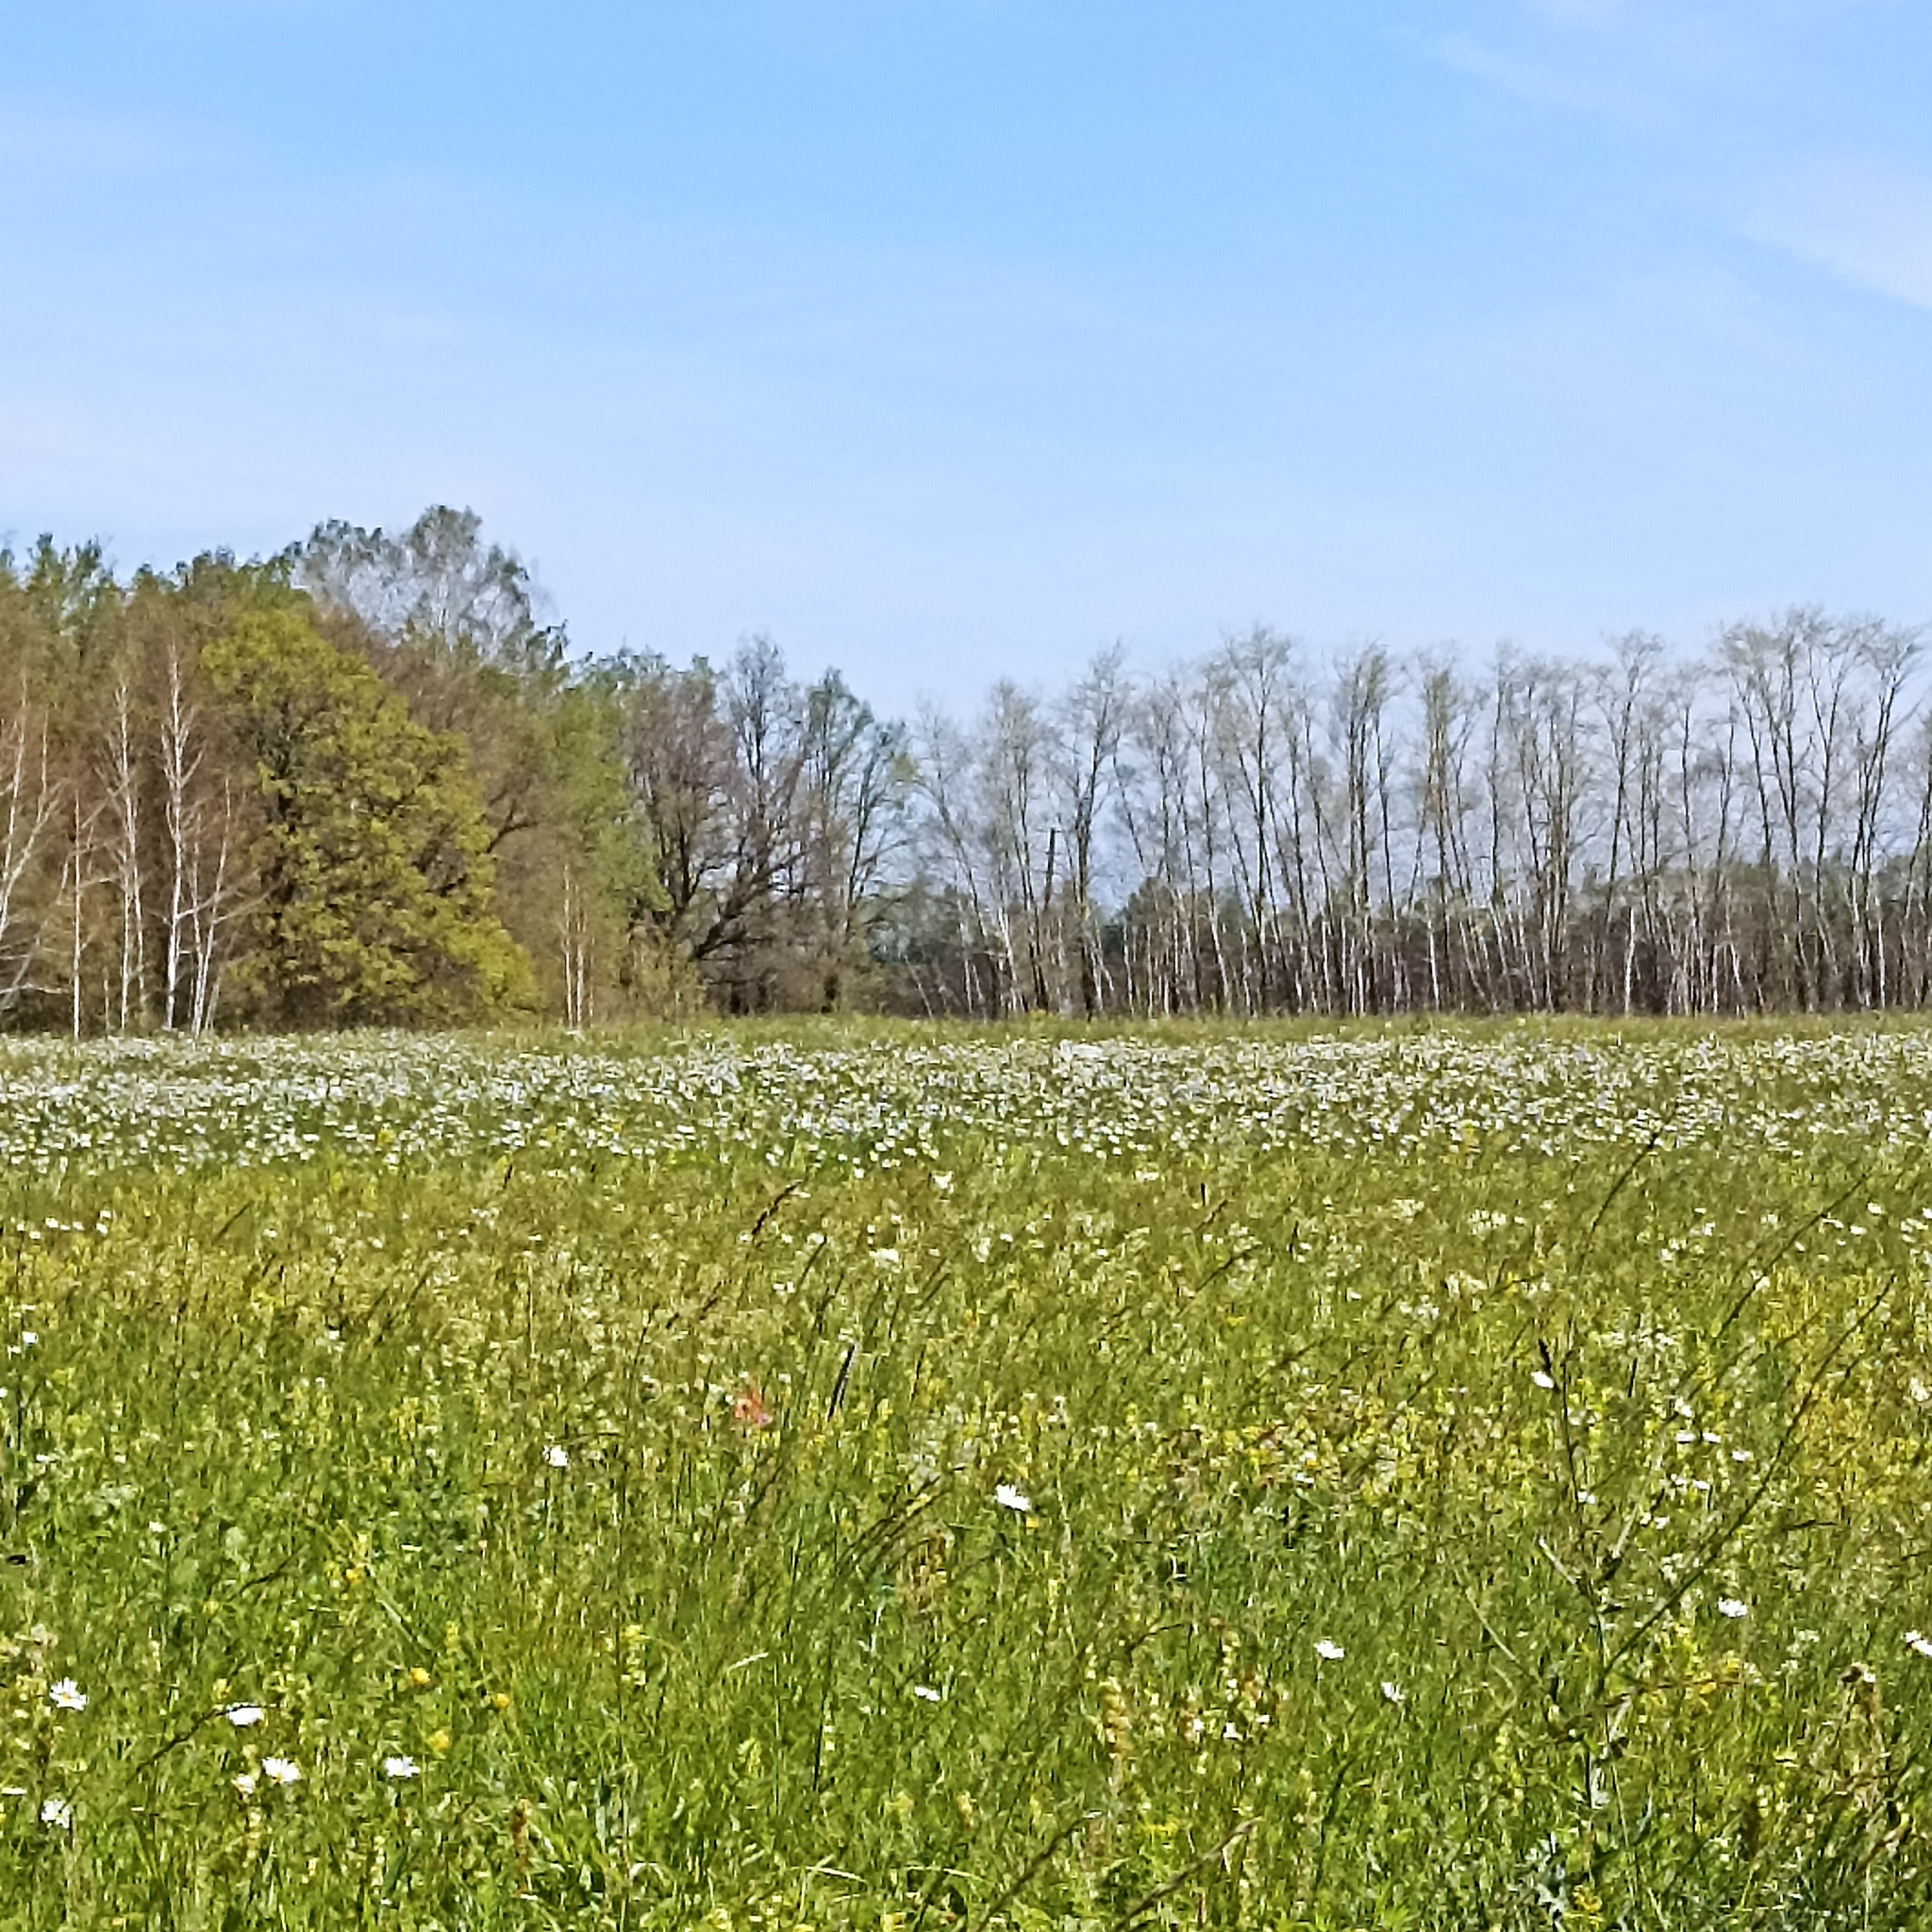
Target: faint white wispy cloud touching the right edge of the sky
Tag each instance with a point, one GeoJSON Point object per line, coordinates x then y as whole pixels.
{"type": "Point", "coordinates": [1867, 221]}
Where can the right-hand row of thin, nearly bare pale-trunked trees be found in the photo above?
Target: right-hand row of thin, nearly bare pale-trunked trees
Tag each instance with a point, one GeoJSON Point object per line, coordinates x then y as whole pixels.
{"type": "Point", "coordinates": [1747, 830]}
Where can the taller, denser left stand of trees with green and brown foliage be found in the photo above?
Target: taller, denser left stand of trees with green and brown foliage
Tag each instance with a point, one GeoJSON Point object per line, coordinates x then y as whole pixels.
{"type": "Point", "coordinates": [364, 783]}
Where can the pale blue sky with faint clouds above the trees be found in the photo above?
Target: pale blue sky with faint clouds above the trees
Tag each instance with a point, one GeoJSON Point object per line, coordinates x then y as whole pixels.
{"type": "Point", "coordinates": [955, 339]}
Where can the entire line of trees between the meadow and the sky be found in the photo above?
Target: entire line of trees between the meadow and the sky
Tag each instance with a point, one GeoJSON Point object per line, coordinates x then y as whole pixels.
{"type": "Point", "coordinates": [368, 783]}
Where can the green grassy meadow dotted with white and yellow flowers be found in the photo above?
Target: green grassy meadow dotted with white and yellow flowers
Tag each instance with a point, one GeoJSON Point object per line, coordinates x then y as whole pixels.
{"type": "Point", "coordinates": [924, 1479]}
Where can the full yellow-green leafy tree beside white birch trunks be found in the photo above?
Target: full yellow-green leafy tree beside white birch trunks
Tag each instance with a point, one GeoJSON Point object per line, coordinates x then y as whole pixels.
{"type": "Point", "coordinates": [376, 870]}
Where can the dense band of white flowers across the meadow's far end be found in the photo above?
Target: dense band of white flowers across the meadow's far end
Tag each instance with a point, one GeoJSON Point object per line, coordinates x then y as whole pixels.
{"type": "Point", "coordinates": [886, 1104]}
